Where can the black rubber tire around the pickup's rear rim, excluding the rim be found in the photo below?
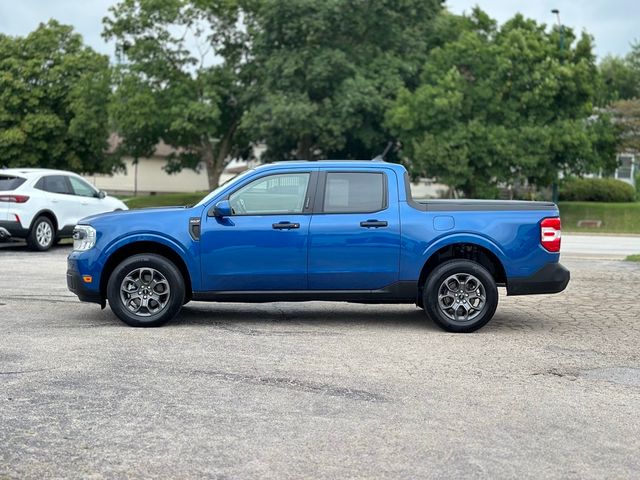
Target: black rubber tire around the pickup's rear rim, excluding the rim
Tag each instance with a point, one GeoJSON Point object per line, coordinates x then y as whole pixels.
{"type": "Point", "coordinates": [432, 286]}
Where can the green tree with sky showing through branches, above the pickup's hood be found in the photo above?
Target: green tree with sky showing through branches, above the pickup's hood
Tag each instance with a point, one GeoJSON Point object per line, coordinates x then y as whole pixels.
{"type": "Point", "coordinates": [180, 80]}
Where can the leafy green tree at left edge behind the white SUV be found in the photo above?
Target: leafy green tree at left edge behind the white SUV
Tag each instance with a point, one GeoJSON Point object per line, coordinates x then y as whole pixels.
{"type": "Point", "coordinates": [54, 93]}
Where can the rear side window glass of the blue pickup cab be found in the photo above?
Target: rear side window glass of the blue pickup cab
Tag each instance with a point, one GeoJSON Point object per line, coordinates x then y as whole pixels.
{"type": "Point", "coordinates": [347, 192]}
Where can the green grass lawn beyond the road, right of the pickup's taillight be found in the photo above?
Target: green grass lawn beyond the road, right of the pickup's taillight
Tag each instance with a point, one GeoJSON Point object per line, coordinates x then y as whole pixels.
{"type": "Point", "coordinates": [616, 217]}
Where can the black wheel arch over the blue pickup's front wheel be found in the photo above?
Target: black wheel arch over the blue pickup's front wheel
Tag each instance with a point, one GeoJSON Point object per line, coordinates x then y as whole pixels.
{"type": "Point", "coordinates": [142, 247]}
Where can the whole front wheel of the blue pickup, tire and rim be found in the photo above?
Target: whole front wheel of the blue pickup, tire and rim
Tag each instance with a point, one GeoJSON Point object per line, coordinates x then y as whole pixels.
{"type": "Point", "coordinates": [160, 307]}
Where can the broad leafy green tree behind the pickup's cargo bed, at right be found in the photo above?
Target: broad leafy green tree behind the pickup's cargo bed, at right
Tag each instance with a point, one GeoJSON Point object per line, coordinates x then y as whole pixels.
{"type": "Point", "coordinates": [503, 105]}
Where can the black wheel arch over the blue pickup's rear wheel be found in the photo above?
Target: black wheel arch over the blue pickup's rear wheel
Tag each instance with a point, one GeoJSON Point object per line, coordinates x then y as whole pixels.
{"type": "Point", "coordinates": [463, 250]}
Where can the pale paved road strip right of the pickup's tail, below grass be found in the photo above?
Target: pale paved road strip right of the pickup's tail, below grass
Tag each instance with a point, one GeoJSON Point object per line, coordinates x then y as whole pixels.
{"type": "Point", "coordinates": [600, 246]}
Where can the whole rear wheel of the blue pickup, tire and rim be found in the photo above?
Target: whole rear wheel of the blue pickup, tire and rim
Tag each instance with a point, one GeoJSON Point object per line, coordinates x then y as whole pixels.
{"type": "Point", "coordinates": [478, 303]}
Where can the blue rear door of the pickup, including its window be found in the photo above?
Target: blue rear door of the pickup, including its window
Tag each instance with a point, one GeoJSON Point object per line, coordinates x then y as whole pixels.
{"type": "Point", "coordinates": [354, 236]}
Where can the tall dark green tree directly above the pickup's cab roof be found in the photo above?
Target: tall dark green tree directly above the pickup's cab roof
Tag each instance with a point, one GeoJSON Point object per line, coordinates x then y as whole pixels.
{"type": "Point", "coordinates": [325, 72]}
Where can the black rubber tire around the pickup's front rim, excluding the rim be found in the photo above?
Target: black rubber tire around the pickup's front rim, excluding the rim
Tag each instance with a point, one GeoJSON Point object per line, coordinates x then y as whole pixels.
{"type": "Point", "coordinates": [164, 266]}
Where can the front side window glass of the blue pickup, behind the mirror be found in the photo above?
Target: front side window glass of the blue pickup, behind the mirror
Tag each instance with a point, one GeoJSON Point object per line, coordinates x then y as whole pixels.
{"type": "Point", "coordinates": [275, 194]}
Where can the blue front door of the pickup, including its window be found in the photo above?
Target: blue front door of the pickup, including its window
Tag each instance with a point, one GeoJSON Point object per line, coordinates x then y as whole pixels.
{"type": "Point", "coordinates": [263, 244]}
